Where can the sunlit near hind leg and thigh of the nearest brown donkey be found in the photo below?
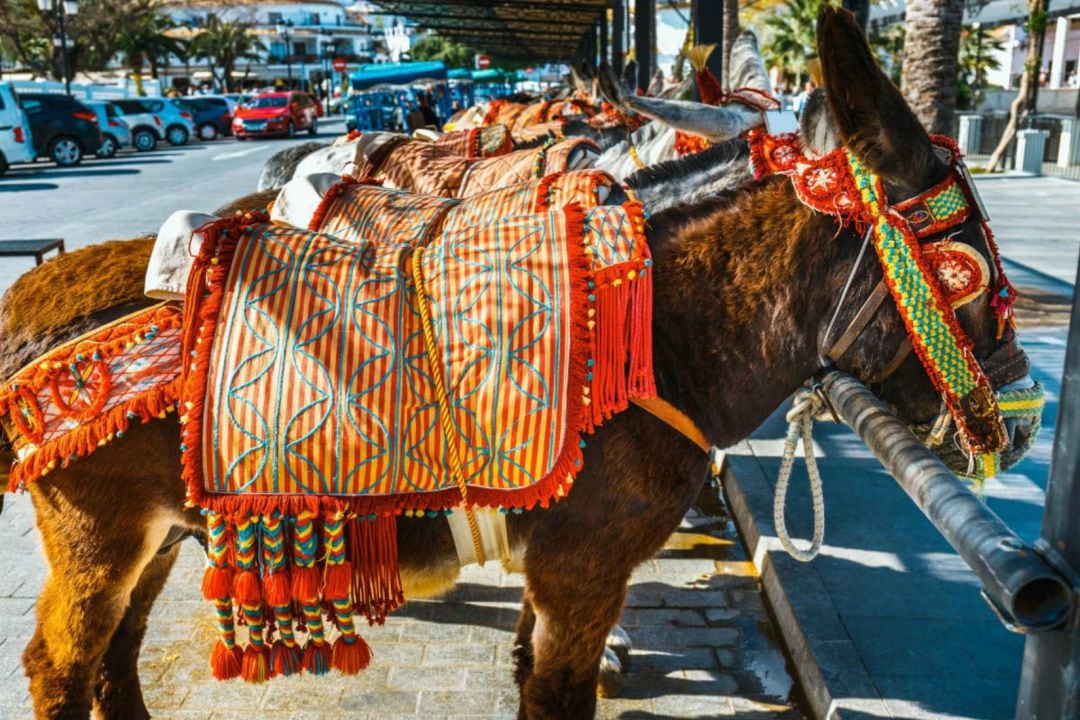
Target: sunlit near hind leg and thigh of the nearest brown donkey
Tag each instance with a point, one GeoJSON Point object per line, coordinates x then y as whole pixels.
{"type": "Point", "coordinates": [102, 522]}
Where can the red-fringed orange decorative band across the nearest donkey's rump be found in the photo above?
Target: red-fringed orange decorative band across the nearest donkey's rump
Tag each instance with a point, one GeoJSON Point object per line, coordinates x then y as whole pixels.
{"type": "Point", "coordinates": [86, 392]}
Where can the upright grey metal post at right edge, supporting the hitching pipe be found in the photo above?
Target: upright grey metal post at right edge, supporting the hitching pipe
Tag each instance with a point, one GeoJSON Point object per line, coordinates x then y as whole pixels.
{"type": "Point", "coordinates": [1050, 682]}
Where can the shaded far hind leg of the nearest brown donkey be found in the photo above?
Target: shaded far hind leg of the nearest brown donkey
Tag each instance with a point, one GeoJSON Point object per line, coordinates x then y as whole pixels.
{"type": "Point", "coordinates": [119, 696]}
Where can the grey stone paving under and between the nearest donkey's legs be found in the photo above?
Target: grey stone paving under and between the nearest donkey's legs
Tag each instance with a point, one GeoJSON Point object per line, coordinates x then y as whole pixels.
{"type": "Point", "coordinates": [703, 644]}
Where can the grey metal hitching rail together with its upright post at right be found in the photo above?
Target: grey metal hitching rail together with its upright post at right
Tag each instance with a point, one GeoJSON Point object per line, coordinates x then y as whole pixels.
{"type": "Point", "coordinates": [1034, 589]}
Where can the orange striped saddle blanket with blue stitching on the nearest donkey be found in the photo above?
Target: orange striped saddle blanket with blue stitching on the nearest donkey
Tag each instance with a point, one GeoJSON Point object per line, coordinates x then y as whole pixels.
{"type": "Point", "coordinates": [318, 378]}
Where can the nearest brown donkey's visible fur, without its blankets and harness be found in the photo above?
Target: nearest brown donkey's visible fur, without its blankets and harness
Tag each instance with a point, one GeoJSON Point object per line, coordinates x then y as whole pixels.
{"type": "Point", "coordinates": [746, 286]}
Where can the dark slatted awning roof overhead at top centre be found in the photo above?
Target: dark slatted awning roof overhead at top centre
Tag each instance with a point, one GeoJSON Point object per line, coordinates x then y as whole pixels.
{"type": "Point", "coordinates": [526, 30]}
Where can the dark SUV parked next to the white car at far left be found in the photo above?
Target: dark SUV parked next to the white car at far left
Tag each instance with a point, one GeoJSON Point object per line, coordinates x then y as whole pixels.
{"type": "Point", "coordinates": [64, 130]}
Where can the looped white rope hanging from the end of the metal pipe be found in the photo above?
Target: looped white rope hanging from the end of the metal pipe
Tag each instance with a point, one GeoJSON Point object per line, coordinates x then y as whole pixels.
{"type": "Point", "coordinates": [801, 424]}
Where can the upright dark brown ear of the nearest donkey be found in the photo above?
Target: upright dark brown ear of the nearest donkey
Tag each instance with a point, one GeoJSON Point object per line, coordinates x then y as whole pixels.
{"type": "Point", "coordinates": [872, 117]}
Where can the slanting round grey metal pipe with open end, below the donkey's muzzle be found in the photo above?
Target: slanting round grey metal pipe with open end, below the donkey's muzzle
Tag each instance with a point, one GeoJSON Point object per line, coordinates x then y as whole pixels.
{"type": "Point", "coordinates": [1020, 582]}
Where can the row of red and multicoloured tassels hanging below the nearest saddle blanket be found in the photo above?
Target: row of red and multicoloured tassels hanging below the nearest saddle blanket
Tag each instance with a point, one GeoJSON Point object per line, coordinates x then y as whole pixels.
{"type": "Point", "coordinates": [279, 576]}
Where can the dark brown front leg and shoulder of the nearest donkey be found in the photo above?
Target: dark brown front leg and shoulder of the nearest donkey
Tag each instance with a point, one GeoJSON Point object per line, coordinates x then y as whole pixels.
{"type": "Point", "coordinates": [637, 486]}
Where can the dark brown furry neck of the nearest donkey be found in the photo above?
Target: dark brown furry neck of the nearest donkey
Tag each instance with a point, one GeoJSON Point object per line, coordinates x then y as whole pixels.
{"type": "Point", "coordinates": [742, 292]}
